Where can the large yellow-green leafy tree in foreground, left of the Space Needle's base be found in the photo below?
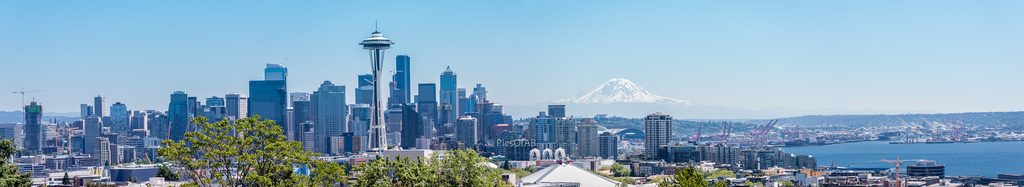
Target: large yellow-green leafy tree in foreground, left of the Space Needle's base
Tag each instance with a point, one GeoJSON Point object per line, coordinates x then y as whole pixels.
{"type": "Point", "coordinates": [248, 153]}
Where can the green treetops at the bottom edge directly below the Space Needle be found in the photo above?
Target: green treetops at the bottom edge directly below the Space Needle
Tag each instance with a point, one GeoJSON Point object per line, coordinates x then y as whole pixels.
{"type": "Point", "coordinates": [456, 169]}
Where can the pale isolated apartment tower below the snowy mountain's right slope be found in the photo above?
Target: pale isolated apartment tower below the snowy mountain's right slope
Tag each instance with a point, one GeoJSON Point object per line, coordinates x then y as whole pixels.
{"type": "Point", "coordinates": [658, 128]}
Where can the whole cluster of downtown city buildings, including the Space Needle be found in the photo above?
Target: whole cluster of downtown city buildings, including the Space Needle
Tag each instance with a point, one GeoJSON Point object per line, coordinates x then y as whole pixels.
{"type": "Point", "coordinates": [440, 116]}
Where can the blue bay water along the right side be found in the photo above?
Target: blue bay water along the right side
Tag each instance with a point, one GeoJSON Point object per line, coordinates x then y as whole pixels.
{"type": "Point", "coordinates": [985, 159]}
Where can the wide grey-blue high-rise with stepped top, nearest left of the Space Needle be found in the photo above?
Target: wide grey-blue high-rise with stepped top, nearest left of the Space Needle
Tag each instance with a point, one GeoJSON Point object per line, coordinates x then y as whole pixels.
{"type": "Point", "coordinates": [330, 114]}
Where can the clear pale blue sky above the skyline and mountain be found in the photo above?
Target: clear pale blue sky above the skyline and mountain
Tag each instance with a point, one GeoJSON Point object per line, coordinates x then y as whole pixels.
{"type": "Point", "coordinates": [927, 56]}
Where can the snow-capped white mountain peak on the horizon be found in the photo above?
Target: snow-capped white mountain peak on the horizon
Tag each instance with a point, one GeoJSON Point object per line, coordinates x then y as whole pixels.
{"type": "Point", "coordinates": [621, 90]}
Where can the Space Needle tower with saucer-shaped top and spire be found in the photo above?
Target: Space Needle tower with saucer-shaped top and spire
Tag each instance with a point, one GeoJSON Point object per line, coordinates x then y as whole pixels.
{"type": "Point", "coordinates": [377, 44]}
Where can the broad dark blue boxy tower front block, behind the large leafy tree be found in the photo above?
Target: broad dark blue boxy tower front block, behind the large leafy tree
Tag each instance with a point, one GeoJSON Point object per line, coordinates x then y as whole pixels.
{"type": "Point", "coordinates": [269, 100]}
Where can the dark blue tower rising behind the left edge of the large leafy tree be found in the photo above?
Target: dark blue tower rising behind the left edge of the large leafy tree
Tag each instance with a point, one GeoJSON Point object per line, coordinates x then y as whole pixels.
{"type": "Point", "coordinates": [179, 116]}
